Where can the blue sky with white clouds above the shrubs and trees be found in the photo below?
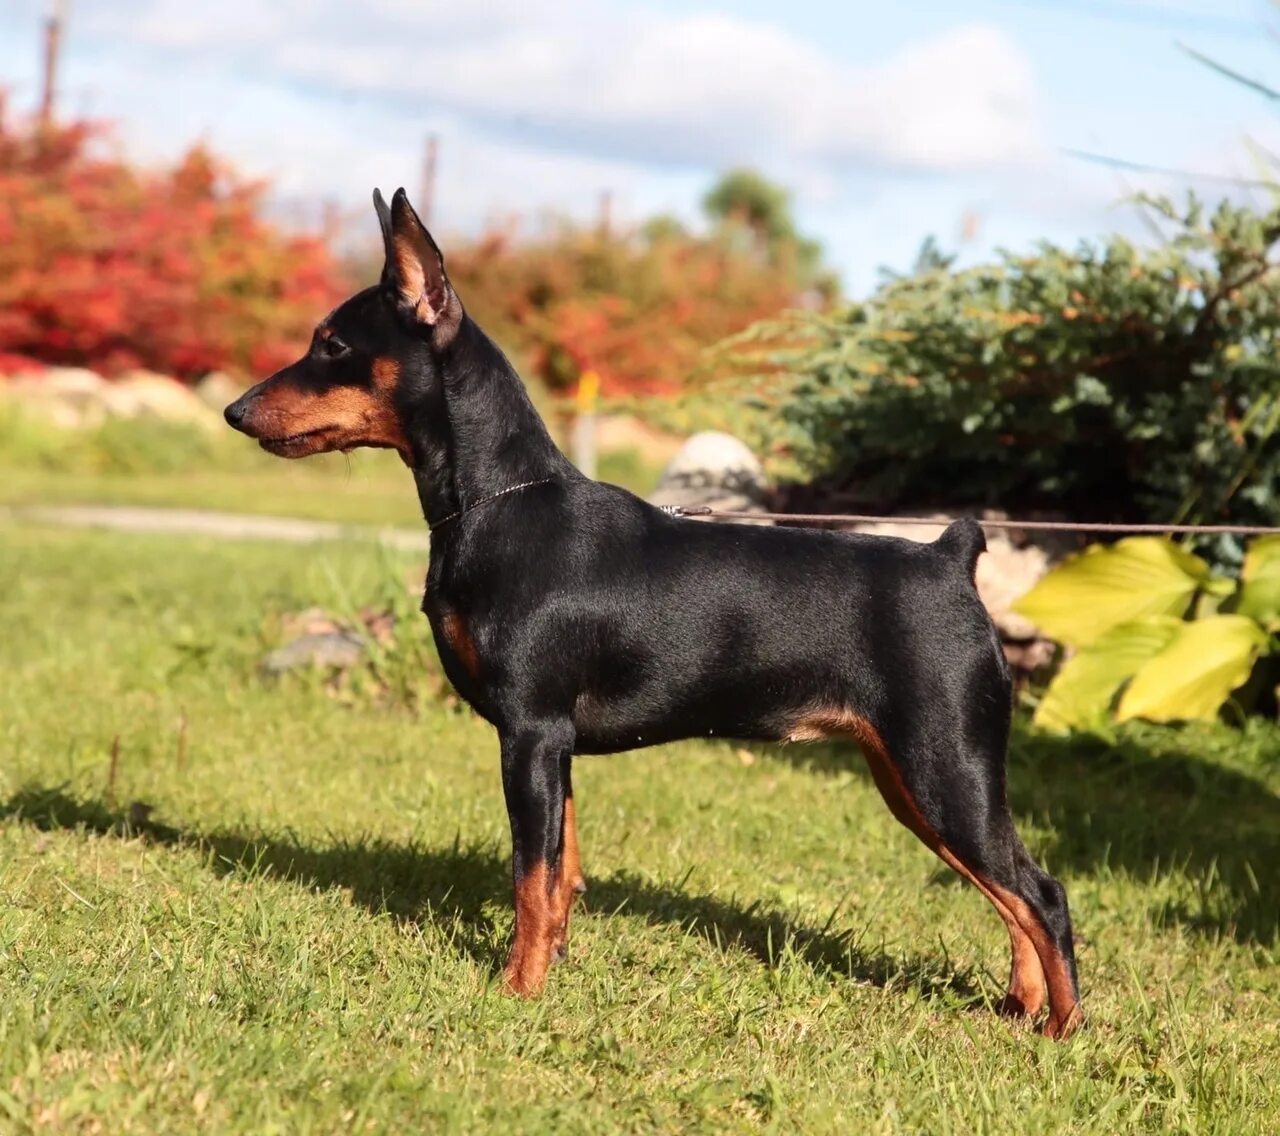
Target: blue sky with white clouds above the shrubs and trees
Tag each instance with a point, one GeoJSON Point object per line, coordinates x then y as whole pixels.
{"type": "Point", "coordinates": [889, 122]}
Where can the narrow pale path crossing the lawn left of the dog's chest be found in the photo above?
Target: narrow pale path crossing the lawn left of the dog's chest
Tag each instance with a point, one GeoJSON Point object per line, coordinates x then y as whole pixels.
{"type": "Point", "coordinates": [200, 523]}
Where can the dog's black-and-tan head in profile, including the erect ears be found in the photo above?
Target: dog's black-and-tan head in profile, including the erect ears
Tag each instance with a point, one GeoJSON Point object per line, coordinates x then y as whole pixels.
{"type": "Point", "coordinates": [367, 358]}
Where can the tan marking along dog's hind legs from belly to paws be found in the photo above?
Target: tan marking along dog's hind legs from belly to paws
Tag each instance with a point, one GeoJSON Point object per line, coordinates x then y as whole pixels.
{"type": "Point", "coordinates": [1039, 970]}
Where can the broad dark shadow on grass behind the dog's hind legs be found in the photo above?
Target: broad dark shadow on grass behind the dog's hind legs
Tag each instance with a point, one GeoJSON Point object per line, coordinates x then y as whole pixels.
{"type": "Point", "coordinates": [1148, 805]}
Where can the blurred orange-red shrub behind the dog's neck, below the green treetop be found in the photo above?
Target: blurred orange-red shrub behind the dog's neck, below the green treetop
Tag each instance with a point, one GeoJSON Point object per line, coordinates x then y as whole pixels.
{"type": "Point", "coordinates": [637, 312]}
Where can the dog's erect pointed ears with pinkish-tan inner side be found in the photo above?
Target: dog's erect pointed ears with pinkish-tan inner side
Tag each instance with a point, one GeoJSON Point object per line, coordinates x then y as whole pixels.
{"type": "Point", "coordinates": [414, 271]}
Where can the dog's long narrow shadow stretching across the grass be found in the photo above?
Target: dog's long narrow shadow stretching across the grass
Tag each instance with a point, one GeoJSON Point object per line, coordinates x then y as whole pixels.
{"type": "Point", "coordinates": [461, 887]}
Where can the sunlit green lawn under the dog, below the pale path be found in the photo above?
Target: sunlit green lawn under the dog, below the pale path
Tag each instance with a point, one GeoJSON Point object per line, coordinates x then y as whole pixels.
{"type": "Point", "coordinates": [304, 932]}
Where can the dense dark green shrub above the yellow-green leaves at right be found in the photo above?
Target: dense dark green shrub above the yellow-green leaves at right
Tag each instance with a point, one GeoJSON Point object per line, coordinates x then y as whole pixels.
{"type": "Point", "coordinates": [1110, 382]}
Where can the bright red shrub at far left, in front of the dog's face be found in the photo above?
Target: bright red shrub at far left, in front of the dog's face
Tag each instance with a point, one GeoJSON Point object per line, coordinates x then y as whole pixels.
{"type": "Point", "coordinates": [106, 267]}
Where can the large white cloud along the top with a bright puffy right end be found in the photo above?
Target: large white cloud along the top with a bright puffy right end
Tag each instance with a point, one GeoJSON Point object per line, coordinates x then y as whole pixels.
{"type": "Point", "coordinates": [621, 84]}
